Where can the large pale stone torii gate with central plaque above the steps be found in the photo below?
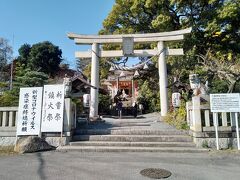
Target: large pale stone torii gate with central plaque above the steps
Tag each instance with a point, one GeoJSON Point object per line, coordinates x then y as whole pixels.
{"type": "Point", "coordinates": [128, 41]}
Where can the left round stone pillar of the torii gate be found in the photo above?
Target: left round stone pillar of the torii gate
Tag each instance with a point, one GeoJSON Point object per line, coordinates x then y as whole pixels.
{"type": "Point", "coordinates": [94, 81]}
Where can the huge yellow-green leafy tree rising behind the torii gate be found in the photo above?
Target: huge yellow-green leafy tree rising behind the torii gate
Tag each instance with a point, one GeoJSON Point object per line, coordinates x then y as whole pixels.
{"type": "Point", "coordinates": [214, 27]}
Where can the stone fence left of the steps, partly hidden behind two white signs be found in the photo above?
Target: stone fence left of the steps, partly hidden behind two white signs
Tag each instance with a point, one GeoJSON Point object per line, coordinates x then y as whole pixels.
{"type": "Point", "coordinates": [8, 122]}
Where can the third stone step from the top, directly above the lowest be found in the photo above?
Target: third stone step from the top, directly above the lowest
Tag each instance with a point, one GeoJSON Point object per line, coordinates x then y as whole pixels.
{"type": "Point", "coordinates": [132, 144]}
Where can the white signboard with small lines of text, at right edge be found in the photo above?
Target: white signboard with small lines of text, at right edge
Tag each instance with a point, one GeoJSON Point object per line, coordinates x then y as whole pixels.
{"type": "Point", "coordinates": [225, 102]}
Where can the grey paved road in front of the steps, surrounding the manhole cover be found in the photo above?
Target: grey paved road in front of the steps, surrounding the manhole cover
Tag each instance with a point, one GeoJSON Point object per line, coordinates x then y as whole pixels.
{"type": "Point", "coordinates": [118, 166]}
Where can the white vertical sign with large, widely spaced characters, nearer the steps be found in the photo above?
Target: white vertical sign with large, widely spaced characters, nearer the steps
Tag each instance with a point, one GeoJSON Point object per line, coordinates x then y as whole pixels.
{"type": "Point", "coordinates": [52, 111]}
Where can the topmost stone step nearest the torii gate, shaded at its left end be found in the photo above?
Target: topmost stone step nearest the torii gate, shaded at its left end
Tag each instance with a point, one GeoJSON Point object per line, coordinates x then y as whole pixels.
{"type": "Point", "coordinates": [128, 132]}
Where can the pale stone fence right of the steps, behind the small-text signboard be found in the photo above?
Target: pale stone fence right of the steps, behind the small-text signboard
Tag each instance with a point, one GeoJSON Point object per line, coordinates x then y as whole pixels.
{"type": "Point", "coordinates": [200, 121]}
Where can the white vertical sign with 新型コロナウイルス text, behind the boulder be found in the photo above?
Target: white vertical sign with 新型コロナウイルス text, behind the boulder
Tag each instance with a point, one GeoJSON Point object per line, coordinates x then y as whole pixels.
{"type": "Point", "coordinates": [29, 111]}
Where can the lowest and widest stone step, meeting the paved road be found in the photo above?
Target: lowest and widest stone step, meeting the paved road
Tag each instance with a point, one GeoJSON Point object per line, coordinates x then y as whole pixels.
{"type": "Point", "coordinates": [130, 149]}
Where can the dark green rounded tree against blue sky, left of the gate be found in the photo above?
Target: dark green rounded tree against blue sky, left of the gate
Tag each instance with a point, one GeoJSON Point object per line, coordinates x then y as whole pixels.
{"type": "Point", "coordinates": [43, 57]}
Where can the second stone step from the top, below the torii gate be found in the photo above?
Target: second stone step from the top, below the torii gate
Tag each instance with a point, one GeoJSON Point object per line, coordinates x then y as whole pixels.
{"type": "Point", "coordinates": [134, 138]}
